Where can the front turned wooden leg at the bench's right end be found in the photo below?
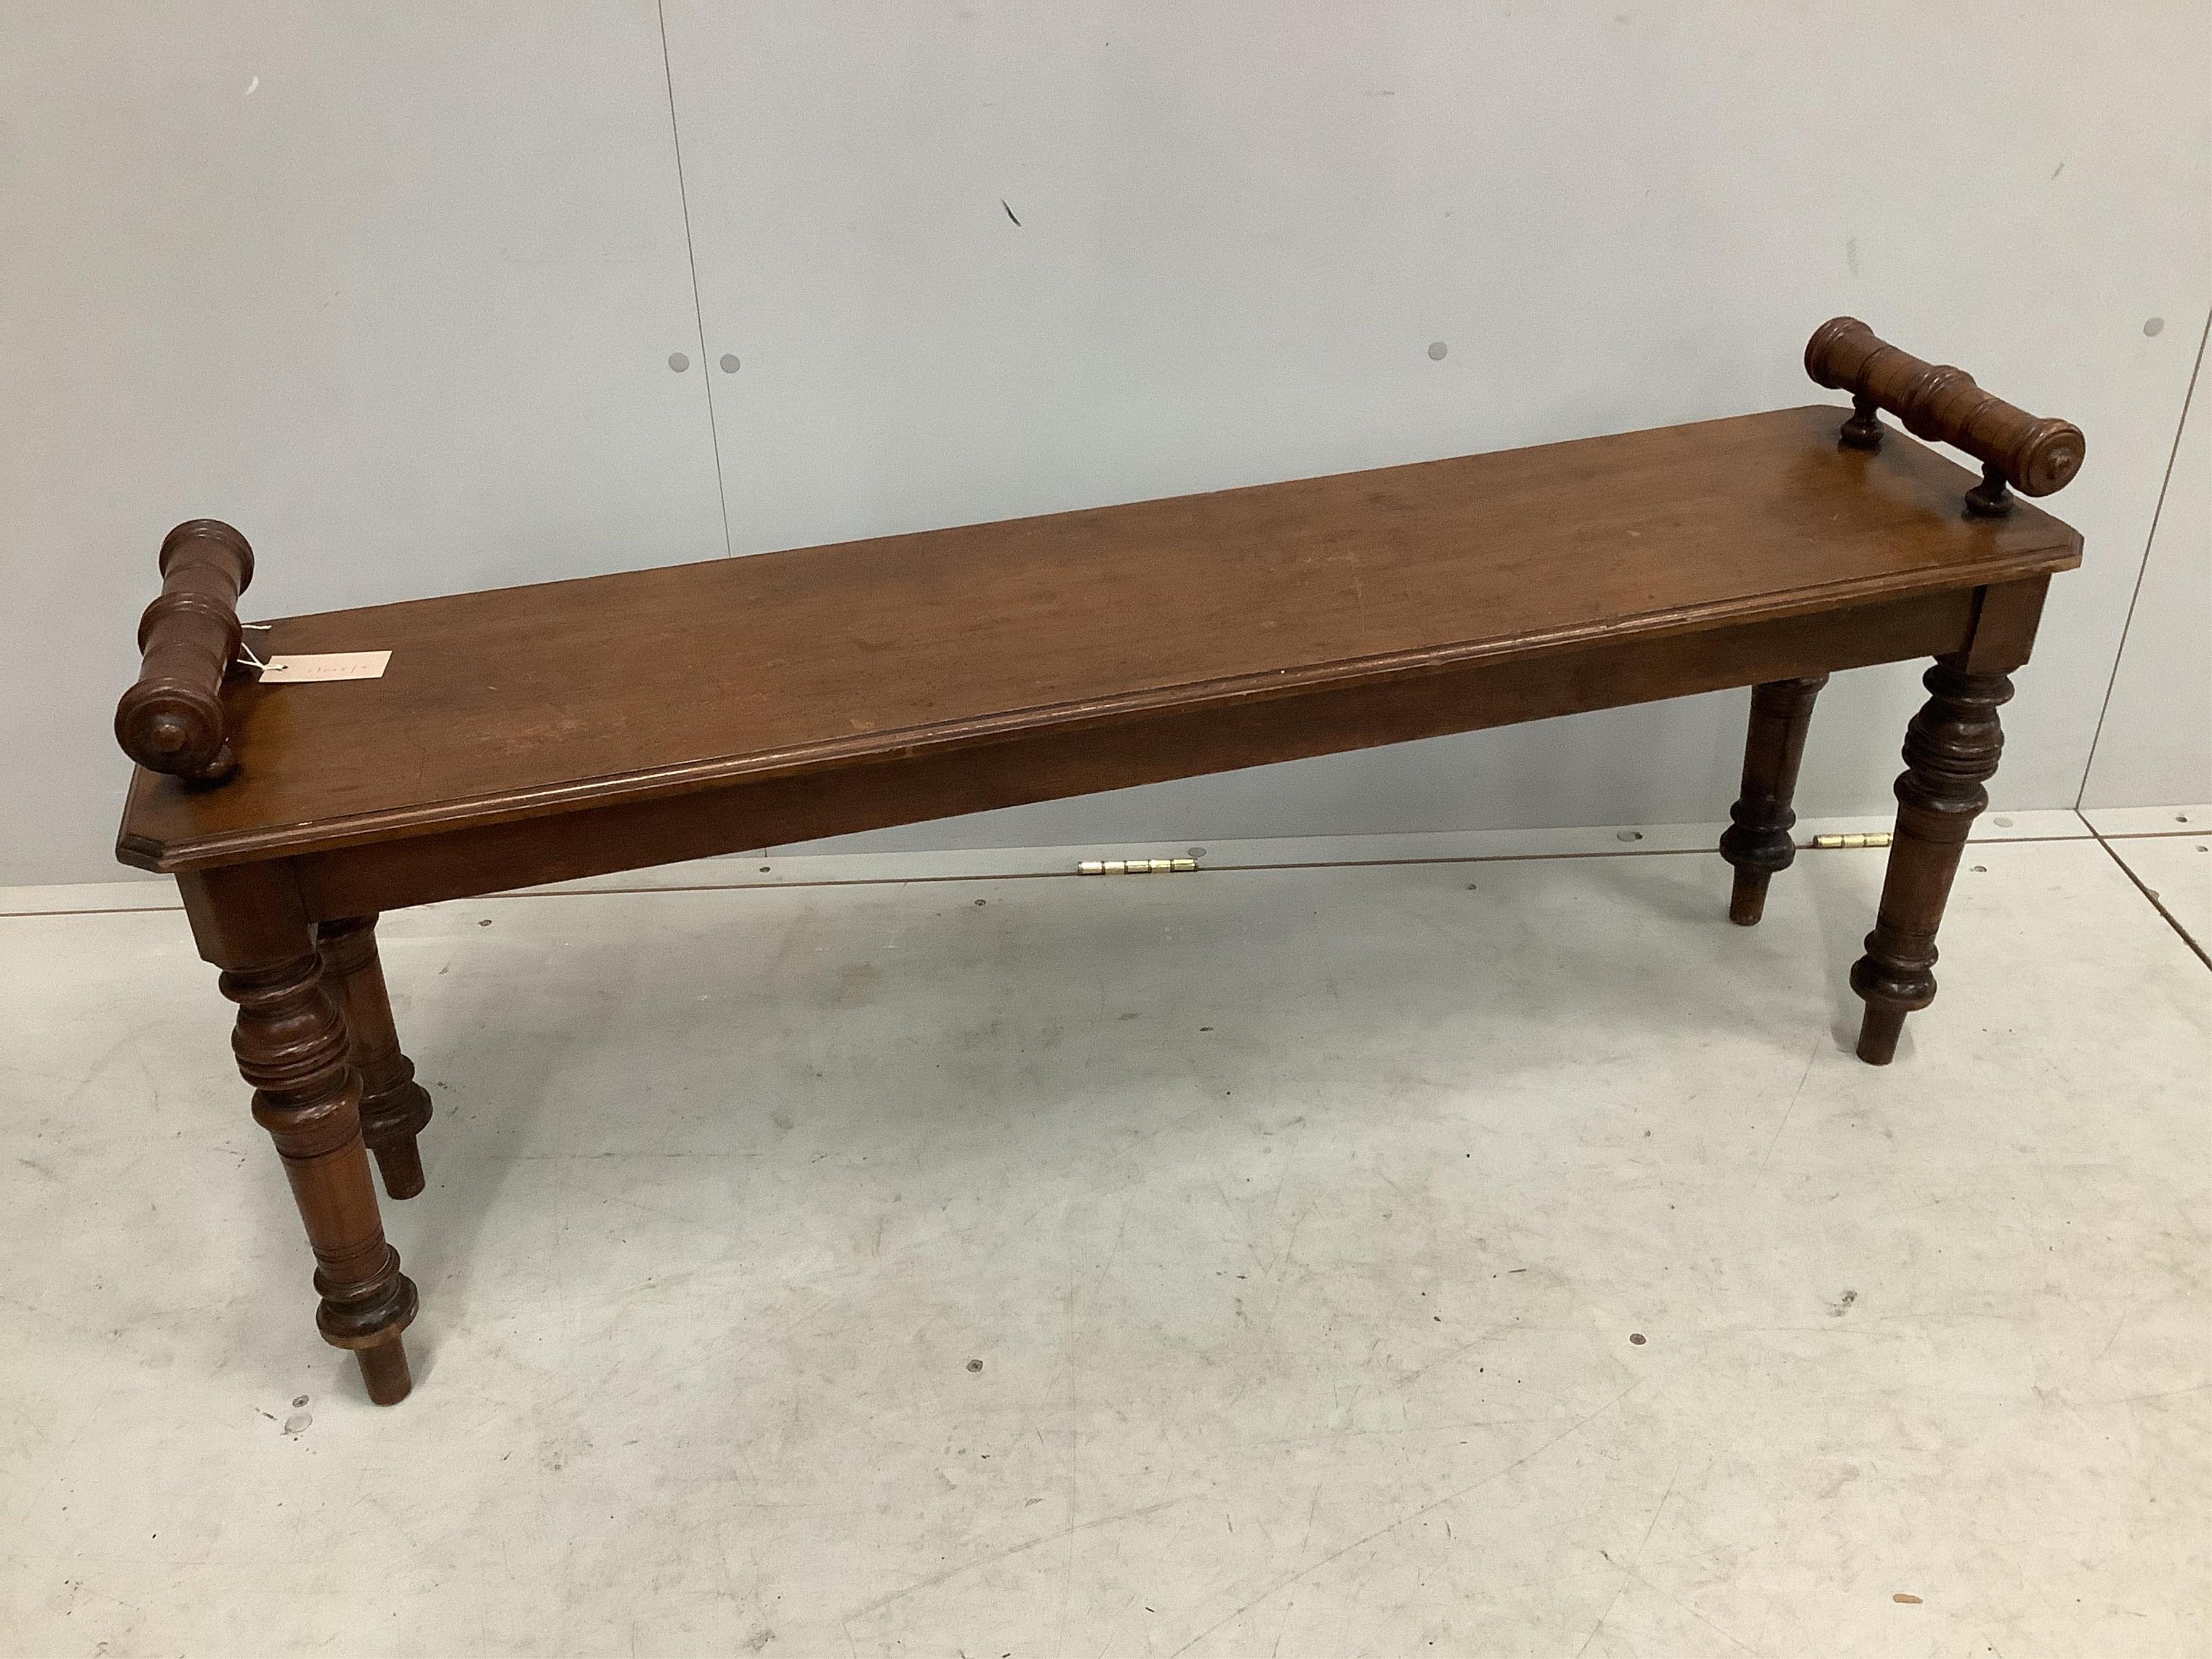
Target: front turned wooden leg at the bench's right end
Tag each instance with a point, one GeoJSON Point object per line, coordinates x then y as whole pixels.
{"type": "Point", "coordinates": [1950, 753]}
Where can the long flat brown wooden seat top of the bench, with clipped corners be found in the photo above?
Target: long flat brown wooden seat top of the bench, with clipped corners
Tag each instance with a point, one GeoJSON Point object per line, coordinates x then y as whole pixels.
{"type": "Point", "coordinates": [539, 700]}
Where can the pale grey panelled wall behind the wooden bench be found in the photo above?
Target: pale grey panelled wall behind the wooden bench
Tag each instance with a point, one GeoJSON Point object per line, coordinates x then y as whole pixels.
{"type": "Point", "coordinates": [399, 298]}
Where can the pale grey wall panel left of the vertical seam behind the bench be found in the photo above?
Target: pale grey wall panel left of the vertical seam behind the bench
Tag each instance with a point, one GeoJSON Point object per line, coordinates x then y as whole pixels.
{"type": "Point", "coordinates": [390, 289]}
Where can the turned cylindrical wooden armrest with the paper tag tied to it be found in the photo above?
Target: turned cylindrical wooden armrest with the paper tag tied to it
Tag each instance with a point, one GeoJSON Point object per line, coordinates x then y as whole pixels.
{"type": "Point", "coordinates": [174, 718]}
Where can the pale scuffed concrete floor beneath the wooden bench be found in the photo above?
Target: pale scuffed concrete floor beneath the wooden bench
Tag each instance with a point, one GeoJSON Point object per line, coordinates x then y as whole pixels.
{"type": "Point", "coordinates": [1441, 1258]}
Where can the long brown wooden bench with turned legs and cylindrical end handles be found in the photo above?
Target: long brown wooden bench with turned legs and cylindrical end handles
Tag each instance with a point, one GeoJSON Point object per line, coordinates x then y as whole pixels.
{"type": "Point", "coordinates": [574, 729]}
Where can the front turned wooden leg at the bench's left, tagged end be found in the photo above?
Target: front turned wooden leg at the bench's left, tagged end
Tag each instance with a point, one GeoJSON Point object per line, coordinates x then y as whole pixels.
{"type": "Point", "coordinates": [291, 1047]}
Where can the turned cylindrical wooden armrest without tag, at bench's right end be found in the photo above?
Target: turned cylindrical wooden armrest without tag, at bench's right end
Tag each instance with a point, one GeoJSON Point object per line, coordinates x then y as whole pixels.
{"type": "Point", "coordinates": [1943, 404]}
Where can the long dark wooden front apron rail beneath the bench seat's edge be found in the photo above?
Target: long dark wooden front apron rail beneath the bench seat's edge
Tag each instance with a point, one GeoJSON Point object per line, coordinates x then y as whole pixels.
{"type": "Point", "coordinates": [1078, 758]}
